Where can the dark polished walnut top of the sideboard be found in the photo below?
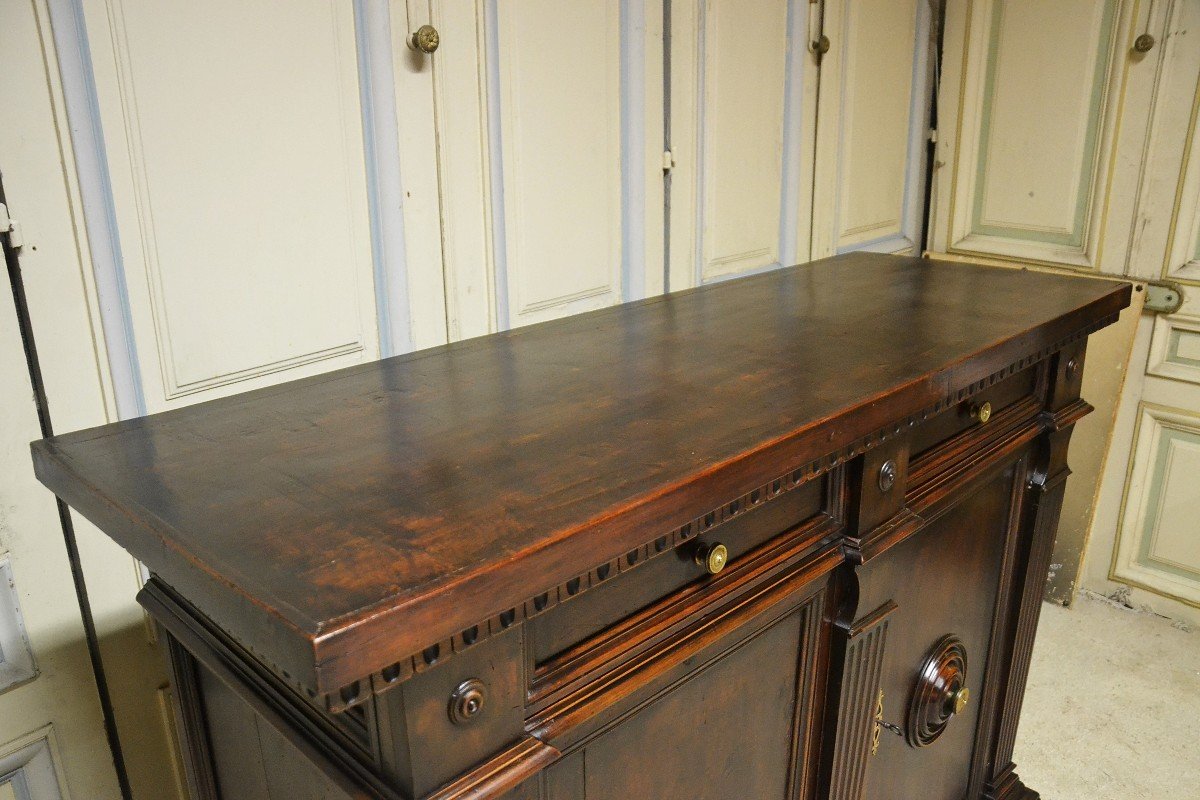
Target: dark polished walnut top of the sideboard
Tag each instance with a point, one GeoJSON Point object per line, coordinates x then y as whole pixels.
{"type": "Point", "coordinates": [337, 524]}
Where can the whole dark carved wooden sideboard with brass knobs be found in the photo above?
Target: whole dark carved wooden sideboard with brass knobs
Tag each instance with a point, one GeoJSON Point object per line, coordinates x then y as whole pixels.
{"type": "Point", "coordinates": [784, 537]}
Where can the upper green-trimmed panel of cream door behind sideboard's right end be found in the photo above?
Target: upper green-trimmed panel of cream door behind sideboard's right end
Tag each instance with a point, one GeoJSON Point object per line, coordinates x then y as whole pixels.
{"type": "Point", "coordinates": [1039, 111]}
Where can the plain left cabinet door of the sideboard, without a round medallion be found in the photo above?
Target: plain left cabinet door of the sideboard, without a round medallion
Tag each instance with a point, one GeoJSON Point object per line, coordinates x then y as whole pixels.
{"type": "Point", "coordinates": [736, 727]}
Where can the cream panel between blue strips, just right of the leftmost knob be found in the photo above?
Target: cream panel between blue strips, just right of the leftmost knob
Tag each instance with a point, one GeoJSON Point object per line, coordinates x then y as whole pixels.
{"type": "Point", "coordinates": [560, 75]}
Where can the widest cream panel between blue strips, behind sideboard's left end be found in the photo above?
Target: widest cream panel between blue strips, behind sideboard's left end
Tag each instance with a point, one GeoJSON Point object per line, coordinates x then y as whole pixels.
{"type": "Point", "coordinates": [235, 141]}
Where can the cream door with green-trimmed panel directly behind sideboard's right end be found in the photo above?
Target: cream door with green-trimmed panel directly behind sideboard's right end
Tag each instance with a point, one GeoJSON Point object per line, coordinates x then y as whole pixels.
{"type": "Point", "coordinates": [1045, 129]}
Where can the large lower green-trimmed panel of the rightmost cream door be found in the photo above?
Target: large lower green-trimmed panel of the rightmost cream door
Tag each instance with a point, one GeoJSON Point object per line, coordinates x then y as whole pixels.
{"type": "Point", "coordinates": [1157, 543]}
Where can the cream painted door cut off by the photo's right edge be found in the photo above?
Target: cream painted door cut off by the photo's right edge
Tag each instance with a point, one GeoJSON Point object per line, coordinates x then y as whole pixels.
{"type": "Point", "coordinates": [1148, 534]}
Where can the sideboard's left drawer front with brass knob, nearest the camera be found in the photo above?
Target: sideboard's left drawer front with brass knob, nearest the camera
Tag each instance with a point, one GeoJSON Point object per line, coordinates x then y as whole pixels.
{"type": "Point", "coordinates": [620, 596]}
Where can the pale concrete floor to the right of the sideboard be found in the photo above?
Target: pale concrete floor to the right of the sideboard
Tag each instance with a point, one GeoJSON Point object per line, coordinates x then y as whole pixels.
{"type": "Point", "coordinates": [1113, 707]}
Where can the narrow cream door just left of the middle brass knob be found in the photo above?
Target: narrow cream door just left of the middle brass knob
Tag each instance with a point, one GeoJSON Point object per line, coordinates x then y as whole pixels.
{"type": "Point", "coordinates": [743, 117]}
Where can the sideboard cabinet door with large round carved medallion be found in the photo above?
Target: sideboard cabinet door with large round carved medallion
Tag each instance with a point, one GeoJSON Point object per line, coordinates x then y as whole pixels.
{"type": "Point", "coordinates": [946, 581]}
